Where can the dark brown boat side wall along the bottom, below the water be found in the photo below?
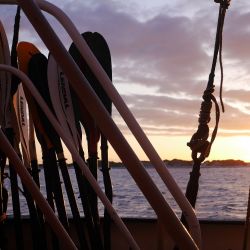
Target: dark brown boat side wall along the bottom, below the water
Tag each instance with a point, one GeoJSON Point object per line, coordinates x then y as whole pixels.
{"type": "Point", "coordinates": [216, 235]}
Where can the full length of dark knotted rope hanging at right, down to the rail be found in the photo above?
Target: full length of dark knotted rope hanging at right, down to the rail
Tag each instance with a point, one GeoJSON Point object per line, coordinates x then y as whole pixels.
{"type": "Point", "coordinates": [199, 143]}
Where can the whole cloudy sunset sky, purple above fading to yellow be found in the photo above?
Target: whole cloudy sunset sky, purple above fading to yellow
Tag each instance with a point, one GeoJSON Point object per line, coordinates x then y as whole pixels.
{"type": "Point", "coordinates": [161, 55]}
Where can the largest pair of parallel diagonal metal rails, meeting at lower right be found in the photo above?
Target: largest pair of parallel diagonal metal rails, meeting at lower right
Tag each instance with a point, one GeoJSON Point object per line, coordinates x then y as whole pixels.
{"type": "Point", "coordinates": [165, 214]}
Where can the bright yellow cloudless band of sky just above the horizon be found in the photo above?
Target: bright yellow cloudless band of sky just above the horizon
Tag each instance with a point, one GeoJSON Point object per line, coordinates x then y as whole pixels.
{"type": "Point", "coordinates": [175, 147]}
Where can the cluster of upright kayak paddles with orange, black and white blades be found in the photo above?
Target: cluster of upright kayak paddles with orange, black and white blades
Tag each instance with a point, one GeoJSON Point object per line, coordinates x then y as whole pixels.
{"type": "Point", "coordinates": [22, 119]}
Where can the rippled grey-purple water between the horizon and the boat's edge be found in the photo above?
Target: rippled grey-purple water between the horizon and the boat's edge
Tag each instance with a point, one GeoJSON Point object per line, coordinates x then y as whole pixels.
{"type": "Point", "coordinates": [222, 195]}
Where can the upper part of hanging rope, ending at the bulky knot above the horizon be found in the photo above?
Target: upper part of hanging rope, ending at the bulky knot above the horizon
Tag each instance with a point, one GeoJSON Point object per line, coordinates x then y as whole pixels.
{"type": "Point", "coordinates": [199, 143]}
